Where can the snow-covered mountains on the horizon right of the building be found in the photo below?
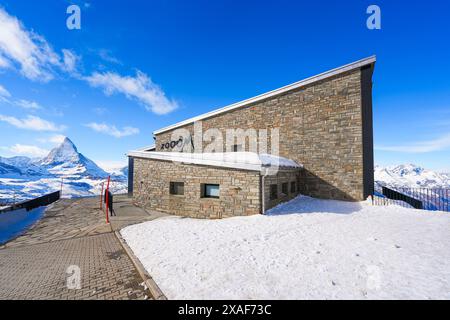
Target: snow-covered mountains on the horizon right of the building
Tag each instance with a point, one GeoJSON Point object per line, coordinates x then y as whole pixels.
{"type": "Point", "coordinates": [410, 176]}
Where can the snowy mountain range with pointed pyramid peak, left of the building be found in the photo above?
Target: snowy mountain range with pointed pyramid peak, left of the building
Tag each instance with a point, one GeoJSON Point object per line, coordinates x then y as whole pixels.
{"type": "Point", "coordinates": [23, 178]}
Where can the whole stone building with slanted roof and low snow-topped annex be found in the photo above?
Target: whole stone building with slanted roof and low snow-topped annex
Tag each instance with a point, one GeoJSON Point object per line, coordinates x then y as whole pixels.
{"type": "Point", "coordinates": [312, 137]}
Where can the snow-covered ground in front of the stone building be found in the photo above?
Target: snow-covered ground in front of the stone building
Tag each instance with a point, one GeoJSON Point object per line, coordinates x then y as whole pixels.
{"type": "Point", "coordinates": [305, 249]}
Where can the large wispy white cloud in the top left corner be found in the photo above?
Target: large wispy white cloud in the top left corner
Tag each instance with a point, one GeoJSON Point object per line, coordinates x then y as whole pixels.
{"type": "Point", "coordinates": [30, 51]}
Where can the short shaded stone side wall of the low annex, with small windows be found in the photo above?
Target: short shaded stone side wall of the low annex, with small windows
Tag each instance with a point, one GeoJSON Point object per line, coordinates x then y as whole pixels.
{"type": "Point", "coordinates": [283, 176]}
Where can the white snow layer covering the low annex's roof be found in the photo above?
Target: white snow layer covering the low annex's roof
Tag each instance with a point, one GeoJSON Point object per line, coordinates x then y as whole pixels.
{"type": "Point", "coordinates": [237, 160]}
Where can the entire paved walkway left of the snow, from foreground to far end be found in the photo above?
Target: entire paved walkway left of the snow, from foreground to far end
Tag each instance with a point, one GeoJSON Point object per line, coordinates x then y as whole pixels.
{"type": "Point", "coordinates": [72, 234]}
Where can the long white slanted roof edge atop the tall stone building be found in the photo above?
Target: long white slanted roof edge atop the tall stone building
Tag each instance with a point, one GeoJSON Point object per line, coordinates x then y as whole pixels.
{"type": "Point", "coordinates": [296, 85]}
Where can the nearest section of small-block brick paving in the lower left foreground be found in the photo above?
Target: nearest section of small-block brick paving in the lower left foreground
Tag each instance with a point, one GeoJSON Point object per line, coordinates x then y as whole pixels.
{"type": "Point", "coordinates": [39, 271]}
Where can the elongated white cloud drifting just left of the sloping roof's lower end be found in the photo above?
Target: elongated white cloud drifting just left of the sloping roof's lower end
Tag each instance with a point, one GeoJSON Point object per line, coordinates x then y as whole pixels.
{"type": "Point", "coordinates": [139, 87]}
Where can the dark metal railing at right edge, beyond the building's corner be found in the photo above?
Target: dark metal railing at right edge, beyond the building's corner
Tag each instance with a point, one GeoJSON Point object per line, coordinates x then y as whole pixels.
{"type": "Point", "coordinates": [433, 199]}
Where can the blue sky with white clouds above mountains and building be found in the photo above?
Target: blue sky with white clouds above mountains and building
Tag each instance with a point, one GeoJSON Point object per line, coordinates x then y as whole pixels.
{"type": "Point", "coordinates": [139, 66]}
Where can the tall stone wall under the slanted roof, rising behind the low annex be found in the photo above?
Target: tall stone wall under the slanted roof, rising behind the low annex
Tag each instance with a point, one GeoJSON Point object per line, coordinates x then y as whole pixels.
{"type": "Point", "coordinates": [320, 126]}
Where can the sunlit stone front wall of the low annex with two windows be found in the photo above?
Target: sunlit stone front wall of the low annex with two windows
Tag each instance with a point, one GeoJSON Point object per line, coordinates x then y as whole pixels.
{"type": "Point", "coordinates": [239, 189]}
